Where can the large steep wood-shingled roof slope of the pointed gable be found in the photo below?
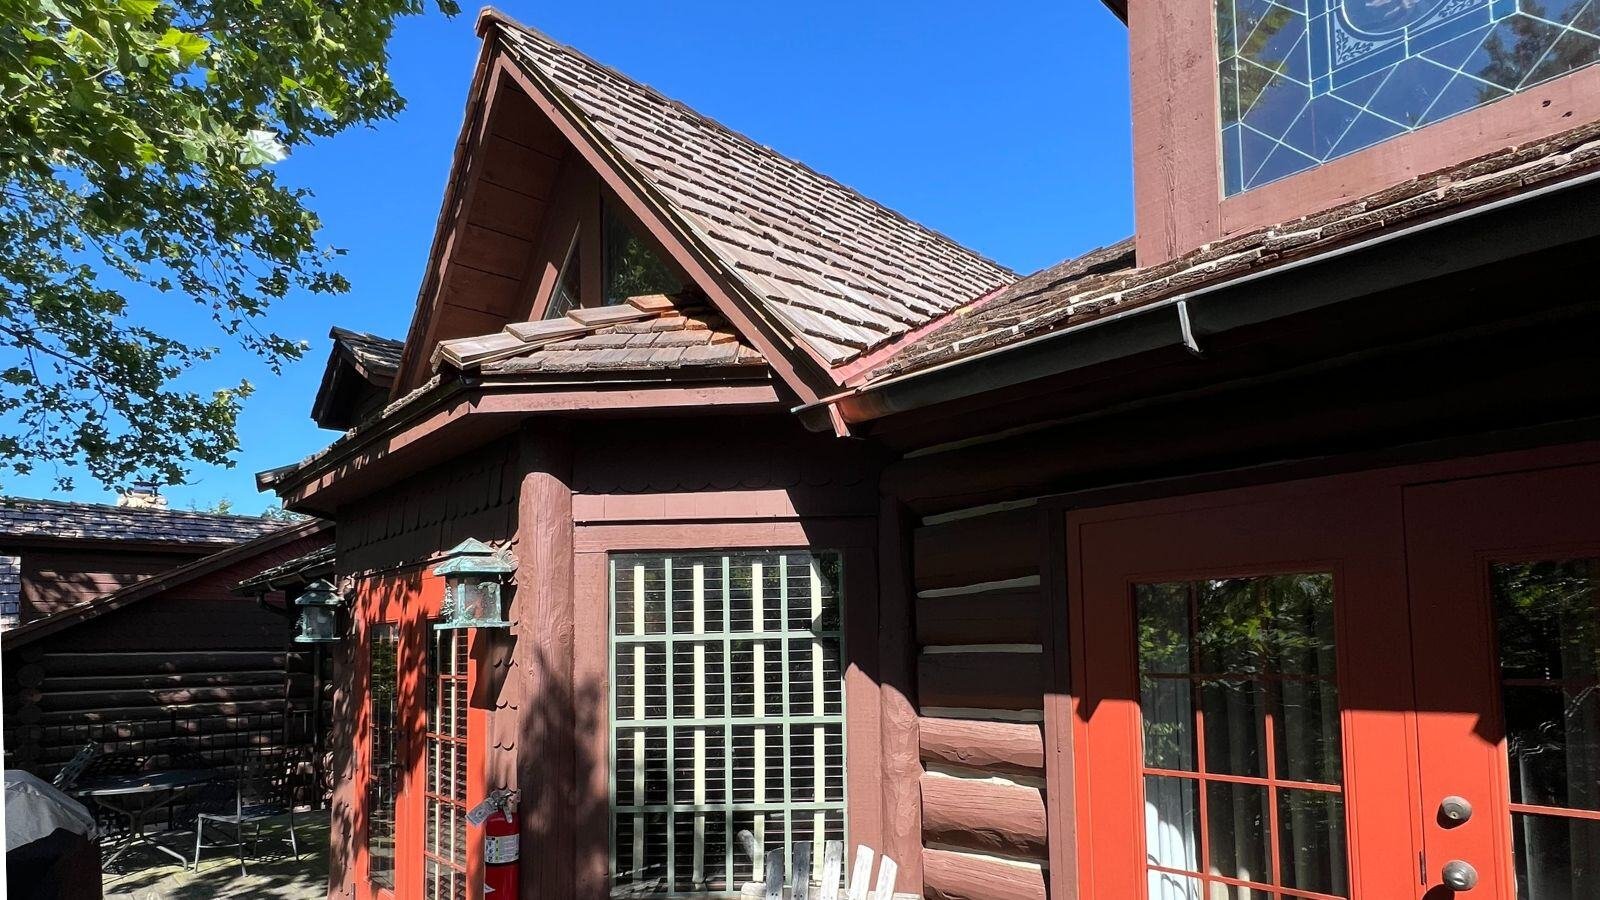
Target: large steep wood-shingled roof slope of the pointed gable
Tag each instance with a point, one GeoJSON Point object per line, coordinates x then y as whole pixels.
{"type": "Point", "coordinates": [841, 271]}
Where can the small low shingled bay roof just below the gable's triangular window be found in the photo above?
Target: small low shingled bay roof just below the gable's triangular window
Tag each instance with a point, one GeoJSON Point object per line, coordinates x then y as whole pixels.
{"type": "Point", "coordinates": [647, 335]}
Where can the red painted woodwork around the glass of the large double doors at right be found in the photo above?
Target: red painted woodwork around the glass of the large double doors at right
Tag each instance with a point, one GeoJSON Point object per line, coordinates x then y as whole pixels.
{"type": "Point", "coordinates": [1399, 749]}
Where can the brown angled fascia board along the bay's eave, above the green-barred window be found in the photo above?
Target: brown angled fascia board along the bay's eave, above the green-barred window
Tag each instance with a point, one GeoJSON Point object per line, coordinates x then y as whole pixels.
{"type": "Point", "coordinates": [479, 411]}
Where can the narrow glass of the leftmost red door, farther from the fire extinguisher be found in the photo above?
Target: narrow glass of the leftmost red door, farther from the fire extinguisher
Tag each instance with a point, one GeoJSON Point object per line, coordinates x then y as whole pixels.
{"type": "Point", "coordinates": [383, 721]}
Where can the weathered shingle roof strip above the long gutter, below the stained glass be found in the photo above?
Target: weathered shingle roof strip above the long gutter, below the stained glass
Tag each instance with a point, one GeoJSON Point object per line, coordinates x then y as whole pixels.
{"type": "Point", "coordinates": [1105, 283]}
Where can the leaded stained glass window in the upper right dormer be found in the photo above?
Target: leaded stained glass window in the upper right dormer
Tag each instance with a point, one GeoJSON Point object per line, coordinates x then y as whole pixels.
{"type": "Point", "coordinates": [1310, 81]}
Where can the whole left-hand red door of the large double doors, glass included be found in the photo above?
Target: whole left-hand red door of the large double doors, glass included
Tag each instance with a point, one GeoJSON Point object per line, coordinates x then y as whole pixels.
{"type": "Point", "coordinates": [1244, 715]}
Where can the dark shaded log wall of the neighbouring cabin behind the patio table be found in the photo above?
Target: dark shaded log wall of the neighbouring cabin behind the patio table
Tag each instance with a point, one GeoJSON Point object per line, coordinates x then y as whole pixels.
{"type": "Point", "coordinates": [196, 664]}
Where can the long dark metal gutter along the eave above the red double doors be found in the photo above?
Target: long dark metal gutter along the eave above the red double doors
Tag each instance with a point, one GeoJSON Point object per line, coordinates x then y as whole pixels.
{"type": "Point", "coordinates": [1524, 223]}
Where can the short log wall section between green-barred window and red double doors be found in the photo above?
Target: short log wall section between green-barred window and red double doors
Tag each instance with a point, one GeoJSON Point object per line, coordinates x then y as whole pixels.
{"type": "Point", "coordinates": [982, 677]}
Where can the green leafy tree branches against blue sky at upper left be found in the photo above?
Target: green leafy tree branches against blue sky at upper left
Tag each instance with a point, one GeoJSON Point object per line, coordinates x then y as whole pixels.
{"type": "Point", "coordinates": [137, 150]}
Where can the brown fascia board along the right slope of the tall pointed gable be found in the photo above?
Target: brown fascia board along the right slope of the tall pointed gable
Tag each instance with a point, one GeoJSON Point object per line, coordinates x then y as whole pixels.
{"type": "Point", "coordinates": [812, 377]}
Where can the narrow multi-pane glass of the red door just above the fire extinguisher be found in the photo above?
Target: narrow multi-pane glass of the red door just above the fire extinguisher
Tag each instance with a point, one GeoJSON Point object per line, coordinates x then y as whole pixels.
{"type": "Point", "coordinates": [446, 814]}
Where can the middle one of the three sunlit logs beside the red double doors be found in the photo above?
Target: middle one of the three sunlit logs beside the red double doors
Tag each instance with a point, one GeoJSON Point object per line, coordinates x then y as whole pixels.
{"type": "Point", "coordinates": [986, 818]}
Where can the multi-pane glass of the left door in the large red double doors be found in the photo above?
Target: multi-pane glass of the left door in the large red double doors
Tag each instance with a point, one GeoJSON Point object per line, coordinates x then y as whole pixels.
{"type": "Point", "coordinates": [1241, 737]}
